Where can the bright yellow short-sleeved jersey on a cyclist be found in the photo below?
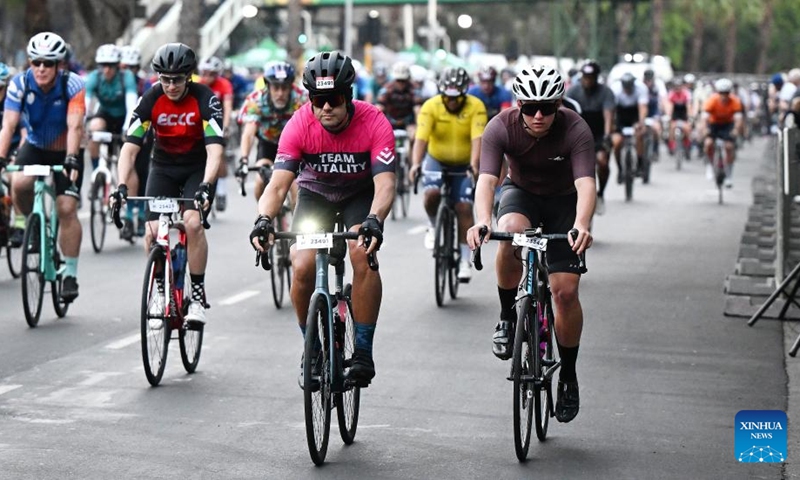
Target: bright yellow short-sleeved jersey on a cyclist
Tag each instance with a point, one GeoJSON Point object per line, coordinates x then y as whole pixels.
{"type": "Point", "coordinates": [450, 135]}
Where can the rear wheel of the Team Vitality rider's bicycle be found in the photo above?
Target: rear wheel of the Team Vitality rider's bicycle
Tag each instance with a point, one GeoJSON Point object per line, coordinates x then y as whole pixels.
{"type": "Point", "coordinates": [348, 402]}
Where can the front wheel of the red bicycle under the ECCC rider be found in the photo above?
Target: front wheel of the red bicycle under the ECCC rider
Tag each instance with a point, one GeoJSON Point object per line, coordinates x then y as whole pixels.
{"type": "Point", "coordinates": [155, 334]}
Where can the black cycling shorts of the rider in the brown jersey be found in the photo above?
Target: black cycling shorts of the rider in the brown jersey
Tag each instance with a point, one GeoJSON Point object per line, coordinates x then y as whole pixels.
{"type": "Point", "coordinates": [556, 214]}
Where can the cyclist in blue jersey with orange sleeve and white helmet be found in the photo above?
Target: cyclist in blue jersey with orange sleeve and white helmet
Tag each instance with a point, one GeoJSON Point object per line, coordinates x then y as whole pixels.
{"type": "Point", "coordinates": [49, 103]}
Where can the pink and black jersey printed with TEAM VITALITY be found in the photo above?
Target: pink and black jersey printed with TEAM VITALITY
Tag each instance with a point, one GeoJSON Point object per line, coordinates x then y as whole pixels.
{"type": "Point", "coordinates": [337, 165]}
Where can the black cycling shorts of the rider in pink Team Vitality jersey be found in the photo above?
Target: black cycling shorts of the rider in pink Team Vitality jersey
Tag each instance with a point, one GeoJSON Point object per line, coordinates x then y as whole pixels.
{"type": "Point", "coordinates": [314, 207]}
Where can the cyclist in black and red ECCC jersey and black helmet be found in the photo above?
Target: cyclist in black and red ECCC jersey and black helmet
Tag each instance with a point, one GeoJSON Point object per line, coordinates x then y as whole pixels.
{"type": "Point", "coordinates": [186, 118]}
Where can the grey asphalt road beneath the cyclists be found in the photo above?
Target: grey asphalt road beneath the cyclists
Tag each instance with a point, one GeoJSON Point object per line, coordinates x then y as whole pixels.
{"type": "Point", "coordinates": [662, 371]}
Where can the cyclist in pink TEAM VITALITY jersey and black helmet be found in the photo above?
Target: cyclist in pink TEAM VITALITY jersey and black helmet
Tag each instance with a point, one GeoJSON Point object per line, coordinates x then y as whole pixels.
{"type": "Point", "coordinates": [342, 152]}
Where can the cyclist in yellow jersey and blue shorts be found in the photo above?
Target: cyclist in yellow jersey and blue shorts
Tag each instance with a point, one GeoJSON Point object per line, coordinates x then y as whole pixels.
{"type": "Point", "coordinates": [449, 129]}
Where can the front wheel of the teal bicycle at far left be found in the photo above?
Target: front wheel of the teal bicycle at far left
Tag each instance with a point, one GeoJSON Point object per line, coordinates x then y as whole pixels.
{"type": "Point", "coordinates": [32, 275]}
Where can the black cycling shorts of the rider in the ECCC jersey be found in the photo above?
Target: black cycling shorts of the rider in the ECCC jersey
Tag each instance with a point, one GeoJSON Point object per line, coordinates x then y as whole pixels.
{"type": "Point", "coordinates": [176, 181]}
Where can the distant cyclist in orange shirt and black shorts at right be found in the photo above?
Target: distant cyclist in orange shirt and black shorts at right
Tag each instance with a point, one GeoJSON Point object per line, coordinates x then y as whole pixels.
{"type": "Point", "coordinates": [722, 113]}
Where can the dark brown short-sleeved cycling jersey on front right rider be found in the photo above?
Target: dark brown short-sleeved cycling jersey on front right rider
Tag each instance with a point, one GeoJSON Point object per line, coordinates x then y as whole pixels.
{"type": "Point", "coordinates": [546, 166]}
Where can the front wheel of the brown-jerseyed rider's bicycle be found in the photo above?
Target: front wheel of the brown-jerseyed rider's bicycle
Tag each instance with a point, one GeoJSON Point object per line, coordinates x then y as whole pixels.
{"type": "Point", "coordinates": [522, 363]}
